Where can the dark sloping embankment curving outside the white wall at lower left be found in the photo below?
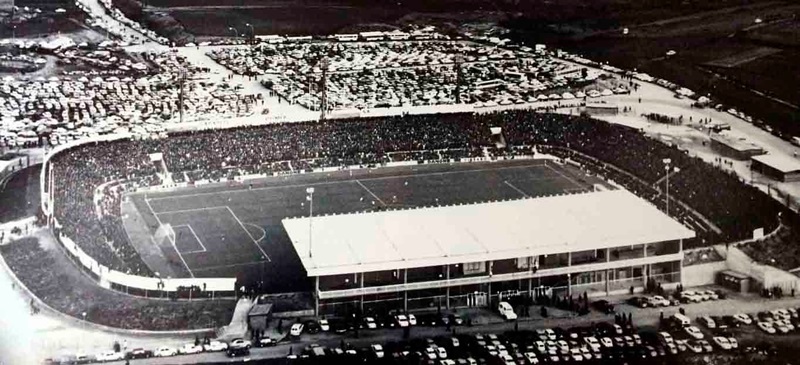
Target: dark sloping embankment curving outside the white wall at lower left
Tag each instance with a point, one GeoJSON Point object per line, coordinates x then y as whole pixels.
{"type": "Point", "coordinates": [74, 294]}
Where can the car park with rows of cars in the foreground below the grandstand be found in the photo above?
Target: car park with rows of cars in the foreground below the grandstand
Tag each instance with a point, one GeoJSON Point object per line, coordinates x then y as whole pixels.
{"type": "Point", "coordinates": [484, 337]}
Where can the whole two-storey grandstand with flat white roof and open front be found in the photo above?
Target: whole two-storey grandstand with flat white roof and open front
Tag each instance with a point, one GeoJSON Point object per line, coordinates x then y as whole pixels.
{"type": "Point", "coordinates": [596, 243]}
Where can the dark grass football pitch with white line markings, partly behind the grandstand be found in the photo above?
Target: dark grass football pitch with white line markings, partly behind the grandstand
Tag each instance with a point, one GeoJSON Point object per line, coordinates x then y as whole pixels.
{"type": "Point", "coordinates": [237, 231]}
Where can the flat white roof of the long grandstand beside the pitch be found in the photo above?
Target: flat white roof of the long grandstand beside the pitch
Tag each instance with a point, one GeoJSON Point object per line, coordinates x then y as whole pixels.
{"type": "Point", "coordinates": [398, 239]}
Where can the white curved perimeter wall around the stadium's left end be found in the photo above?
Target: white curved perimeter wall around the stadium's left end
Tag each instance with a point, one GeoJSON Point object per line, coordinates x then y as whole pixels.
{"type": "Point", "coordinates": [130, 284]}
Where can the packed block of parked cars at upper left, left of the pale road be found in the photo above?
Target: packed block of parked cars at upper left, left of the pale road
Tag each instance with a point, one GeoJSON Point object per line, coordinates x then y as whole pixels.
{"type": "Point", "coordinates": [59, 110]}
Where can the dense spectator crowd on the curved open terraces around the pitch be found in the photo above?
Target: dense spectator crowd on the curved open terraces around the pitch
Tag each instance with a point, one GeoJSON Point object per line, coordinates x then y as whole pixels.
{"type": "Point", "coordinates": [616, 152]}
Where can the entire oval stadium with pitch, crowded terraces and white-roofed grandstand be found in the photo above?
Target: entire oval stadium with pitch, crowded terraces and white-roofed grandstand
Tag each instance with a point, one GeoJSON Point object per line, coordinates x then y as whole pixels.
{"type": "Point", "coordinates": [408, 212]}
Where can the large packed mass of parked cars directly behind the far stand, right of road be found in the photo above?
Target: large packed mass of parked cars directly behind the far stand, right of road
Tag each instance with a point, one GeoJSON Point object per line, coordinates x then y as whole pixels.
{"type": "Point", "coordinates": [393, 74]}
